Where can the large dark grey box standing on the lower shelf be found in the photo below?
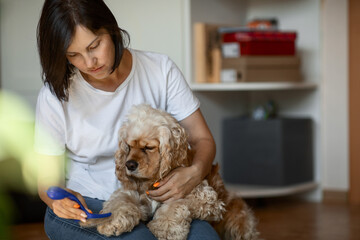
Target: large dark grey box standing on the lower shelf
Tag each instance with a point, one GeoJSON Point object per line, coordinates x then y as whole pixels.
{"type": "Point", "coordinates": [273, 152]}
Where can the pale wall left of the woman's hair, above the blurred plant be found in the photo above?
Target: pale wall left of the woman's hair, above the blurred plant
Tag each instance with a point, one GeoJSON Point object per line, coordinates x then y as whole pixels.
{"type": "Point", "coordinates": [20, 68]}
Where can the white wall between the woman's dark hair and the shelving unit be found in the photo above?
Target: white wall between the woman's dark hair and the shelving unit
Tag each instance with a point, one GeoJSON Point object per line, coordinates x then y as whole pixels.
{"type": "Point", "coordinates": [155, 25]}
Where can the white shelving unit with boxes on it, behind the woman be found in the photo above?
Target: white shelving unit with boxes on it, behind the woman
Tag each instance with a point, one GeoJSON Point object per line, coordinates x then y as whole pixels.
{"type": "Point", "coordinates": [222, 100]}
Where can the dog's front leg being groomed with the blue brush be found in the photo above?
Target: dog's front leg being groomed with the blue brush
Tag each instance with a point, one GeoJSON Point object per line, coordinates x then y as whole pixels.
{"type": "Point", "coordinates": [126, 213]}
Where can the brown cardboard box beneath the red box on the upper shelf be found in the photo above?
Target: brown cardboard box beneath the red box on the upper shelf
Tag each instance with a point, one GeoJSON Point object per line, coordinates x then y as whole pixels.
{"type": "Point", "coordinates": [264, 68]}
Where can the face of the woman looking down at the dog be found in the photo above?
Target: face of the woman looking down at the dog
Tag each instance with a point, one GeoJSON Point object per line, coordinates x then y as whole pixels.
{"type": "Point", "coordinates": [93, 54]}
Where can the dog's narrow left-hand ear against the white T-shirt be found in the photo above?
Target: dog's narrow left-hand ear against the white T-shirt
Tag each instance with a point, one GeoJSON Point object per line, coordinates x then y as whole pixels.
{"type": "Point", "coordinates": [121, 154]}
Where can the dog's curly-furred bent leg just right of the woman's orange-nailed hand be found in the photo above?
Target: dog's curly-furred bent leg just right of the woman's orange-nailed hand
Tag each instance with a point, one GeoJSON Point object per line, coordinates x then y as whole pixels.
{"type": "Point", "coordinates": [204, 203]}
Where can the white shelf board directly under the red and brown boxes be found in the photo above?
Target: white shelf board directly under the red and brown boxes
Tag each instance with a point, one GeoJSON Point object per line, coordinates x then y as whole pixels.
{"type": "Point", "coordinates": [252, 86]}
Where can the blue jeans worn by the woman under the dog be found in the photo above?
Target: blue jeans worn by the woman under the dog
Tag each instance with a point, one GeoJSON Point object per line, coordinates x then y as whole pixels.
{"type": "Point", "coordinates": [58, 228]}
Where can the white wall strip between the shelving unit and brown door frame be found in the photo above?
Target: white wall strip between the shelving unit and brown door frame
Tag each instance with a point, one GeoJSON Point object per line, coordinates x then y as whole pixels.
{"type": "Point", "coordinates": [335, 102]}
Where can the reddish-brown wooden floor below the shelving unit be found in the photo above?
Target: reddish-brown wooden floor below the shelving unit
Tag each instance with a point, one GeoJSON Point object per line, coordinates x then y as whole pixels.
{"type": "Point", "coordinates": [278, 220]}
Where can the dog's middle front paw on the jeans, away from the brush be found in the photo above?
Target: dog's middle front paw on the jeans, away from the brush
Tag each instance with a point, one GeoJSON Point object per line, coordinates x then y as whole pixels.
{"type": "Point", "coordinates": [171, 221]}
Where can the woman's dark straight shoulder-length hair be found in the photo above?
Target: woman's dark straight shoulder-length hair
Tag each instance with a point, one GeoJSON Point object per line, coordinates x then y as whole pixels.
{"type": "Point", "coordinates": [56, 28]}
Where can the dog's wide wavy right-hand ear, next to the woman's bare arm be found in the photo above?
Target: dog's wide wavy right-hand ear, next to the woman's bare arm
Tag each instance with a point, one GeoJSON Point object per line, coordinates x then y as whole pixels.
{"type": "Point", "coordinates": [173, 148]}
